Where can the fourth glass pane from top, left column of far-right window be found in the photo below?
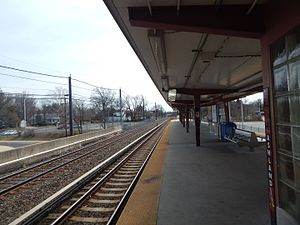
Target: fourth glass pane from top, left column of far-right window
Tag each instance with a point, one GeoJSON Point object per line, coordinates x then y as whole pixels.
{"type": "Point", "coordinates": [284, 142]}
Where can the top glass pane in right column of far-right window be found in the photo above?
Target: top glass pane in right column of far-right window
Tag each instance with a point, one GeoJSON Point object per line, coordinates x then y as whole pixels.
{"type": "Point", "coordinates": [293, 42]}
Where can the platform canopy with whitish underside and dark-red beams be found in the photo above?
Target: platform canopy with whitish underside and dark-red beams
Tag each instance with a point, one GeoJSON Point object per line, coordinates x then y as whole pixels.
{"type": "Point", "coordinates": [205, 47]}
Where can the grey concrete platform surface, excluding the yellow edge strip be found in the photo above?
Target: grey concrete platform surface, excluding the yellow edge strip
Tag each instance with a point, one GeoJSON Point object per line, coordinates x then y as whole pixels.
{"type": "Point", "coordinates": [214, 184]}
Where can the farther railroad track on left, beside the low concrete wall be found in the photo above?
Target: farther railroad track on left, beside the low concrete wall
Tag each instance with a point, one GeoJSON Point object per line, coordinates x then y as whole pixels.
{"type": "Point", "coordinates": [15, 180]}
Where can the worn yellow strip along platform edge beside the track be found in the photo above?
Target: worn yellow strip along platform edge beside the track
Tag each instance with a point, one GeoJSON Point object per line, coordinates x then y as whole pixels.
{"type": "Point", "coordinates": [142, 206]}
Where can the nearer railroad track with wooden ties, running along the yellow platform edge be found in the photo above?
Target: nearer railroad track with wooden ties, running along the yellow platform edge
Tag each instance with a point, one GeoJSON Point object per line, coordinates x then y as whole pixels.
{"type": "Point", "coordinates": [100, 196]}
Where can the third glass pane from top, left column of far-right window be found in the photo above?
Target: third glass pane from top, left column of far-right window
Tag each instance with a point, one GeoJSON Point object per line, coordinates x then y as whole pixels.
{"type": "Point", "coordinates": [283, 109]}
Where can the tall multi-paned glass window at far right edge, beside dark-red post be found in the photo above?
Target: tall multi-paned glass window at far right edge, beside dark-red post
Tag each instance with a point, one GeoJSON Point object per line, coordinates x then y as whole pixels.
{"type": "Point", "coordinates": [285, 63]}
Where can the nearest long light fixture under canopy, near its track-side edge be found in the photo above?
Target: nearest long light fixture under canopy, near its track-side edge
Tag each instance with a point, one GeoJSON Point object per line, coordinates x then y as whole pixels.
{"type": "Point", "coordinates": [157, 43]}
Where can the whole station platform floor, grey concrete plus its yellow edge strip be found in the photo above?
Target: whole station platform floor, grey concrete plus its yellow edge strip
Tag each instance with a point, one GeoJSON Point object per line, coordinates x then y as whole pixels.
{"type": "Point", "coordinates": [215, 184]}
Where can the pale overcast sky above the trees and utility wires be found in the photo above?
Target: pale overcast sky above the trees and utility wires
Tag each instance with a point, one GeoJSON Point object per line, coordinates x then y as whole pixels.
{"type": "Point", "coordinates": [63, 37]}
